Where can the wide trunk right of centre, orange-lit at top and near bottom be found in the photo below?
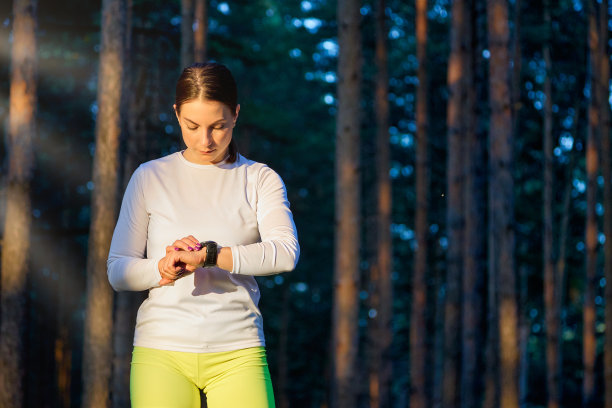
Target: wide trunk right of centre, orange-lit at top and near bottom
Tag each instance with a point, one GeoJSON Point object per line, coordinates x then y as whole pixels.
{"type": "Point", "coordinates": [501, 201]}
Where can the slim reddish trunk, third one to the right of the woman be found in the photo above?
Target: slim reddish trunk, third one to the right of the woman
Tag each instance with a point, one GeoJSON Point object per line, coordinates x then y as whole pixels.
{"type": "Point", "coordinates": [418, 319]}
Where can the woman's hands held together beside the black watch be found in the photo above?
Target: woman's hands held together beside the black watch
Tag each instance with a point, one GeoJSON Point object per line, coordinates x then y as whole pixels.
{"type": "Point", "coordinates": [182, 258]}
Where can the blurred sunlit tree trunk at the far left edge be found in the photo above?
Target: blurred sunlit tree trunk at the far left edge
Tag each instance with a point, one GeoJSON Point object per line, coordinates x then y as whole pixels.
{"type": "Point", "coordinates": [18, 218]}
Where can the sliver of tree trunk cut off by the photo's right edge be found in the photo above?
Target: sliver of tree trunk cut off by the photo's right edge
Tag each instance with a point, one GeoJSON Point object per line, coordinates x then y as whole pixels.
{"type": "Point", "coordinates": [606, 168]}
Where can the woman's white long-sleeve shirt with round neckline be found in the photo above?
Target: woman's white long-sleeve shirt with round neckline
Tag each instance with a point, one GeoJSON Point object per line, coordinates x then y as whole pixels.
{"type": "Point", "coordinates": [241, 205]}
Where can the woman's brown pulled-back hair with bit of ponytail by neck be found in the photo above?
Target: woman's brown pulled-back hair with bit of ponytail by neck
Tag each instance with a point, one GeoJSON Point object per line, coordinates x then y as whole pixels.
{"type": "Point", "coordinates": [209, 81]}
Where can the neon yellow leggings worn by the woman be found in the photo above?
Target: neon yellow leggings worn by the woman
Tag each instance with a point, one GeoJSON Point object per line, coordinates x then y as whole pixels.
{"type": "Point", "coordinates": [173, 379]}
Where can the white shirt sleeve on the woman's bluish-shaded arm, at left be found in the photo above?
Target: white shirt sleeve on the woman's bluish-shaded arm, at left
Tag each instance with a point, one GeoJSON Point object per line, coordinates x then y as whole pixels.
{"type": "Point", "coordinates": [127, 267]}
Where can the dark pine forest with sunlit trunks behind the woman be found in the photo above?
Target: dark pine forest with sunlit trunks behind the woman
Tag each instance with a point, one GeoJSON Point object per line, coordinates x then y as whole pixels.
{"type": "Point", "coordinates": [448, 167]}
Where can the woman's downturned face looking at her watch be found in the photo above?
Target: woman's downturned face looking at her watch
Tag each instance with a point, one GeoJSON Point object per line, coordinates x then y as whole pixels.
{"type": "Point", "coordinates": [207, 130]}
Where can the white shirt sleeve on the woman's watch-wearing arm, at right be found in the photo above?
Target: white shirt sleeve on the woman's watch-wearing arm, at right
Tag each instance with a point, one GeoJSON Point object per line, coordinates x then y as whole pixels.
{"type": "Point", "coordinates": [279, 249]}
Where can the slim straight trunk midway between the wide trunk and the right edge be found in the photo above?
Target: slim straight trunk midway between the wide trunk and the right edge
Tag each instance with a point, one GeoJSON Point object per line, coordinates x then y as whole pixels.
{"type": "Point", "coordinates": [550, 275]}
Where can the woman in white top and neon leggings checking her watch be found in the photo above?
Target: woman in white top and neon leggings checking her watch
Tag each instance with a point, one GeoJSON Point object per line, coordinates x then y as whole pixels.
{"type": "Point", "coordinates": [195, 227]}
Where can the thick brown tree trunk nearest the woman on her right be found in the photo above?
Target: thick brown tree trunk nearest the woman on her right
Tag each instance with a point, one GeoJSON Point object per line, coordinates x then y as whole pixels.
{"type": "Point", "coordinates": [346, 271]}
